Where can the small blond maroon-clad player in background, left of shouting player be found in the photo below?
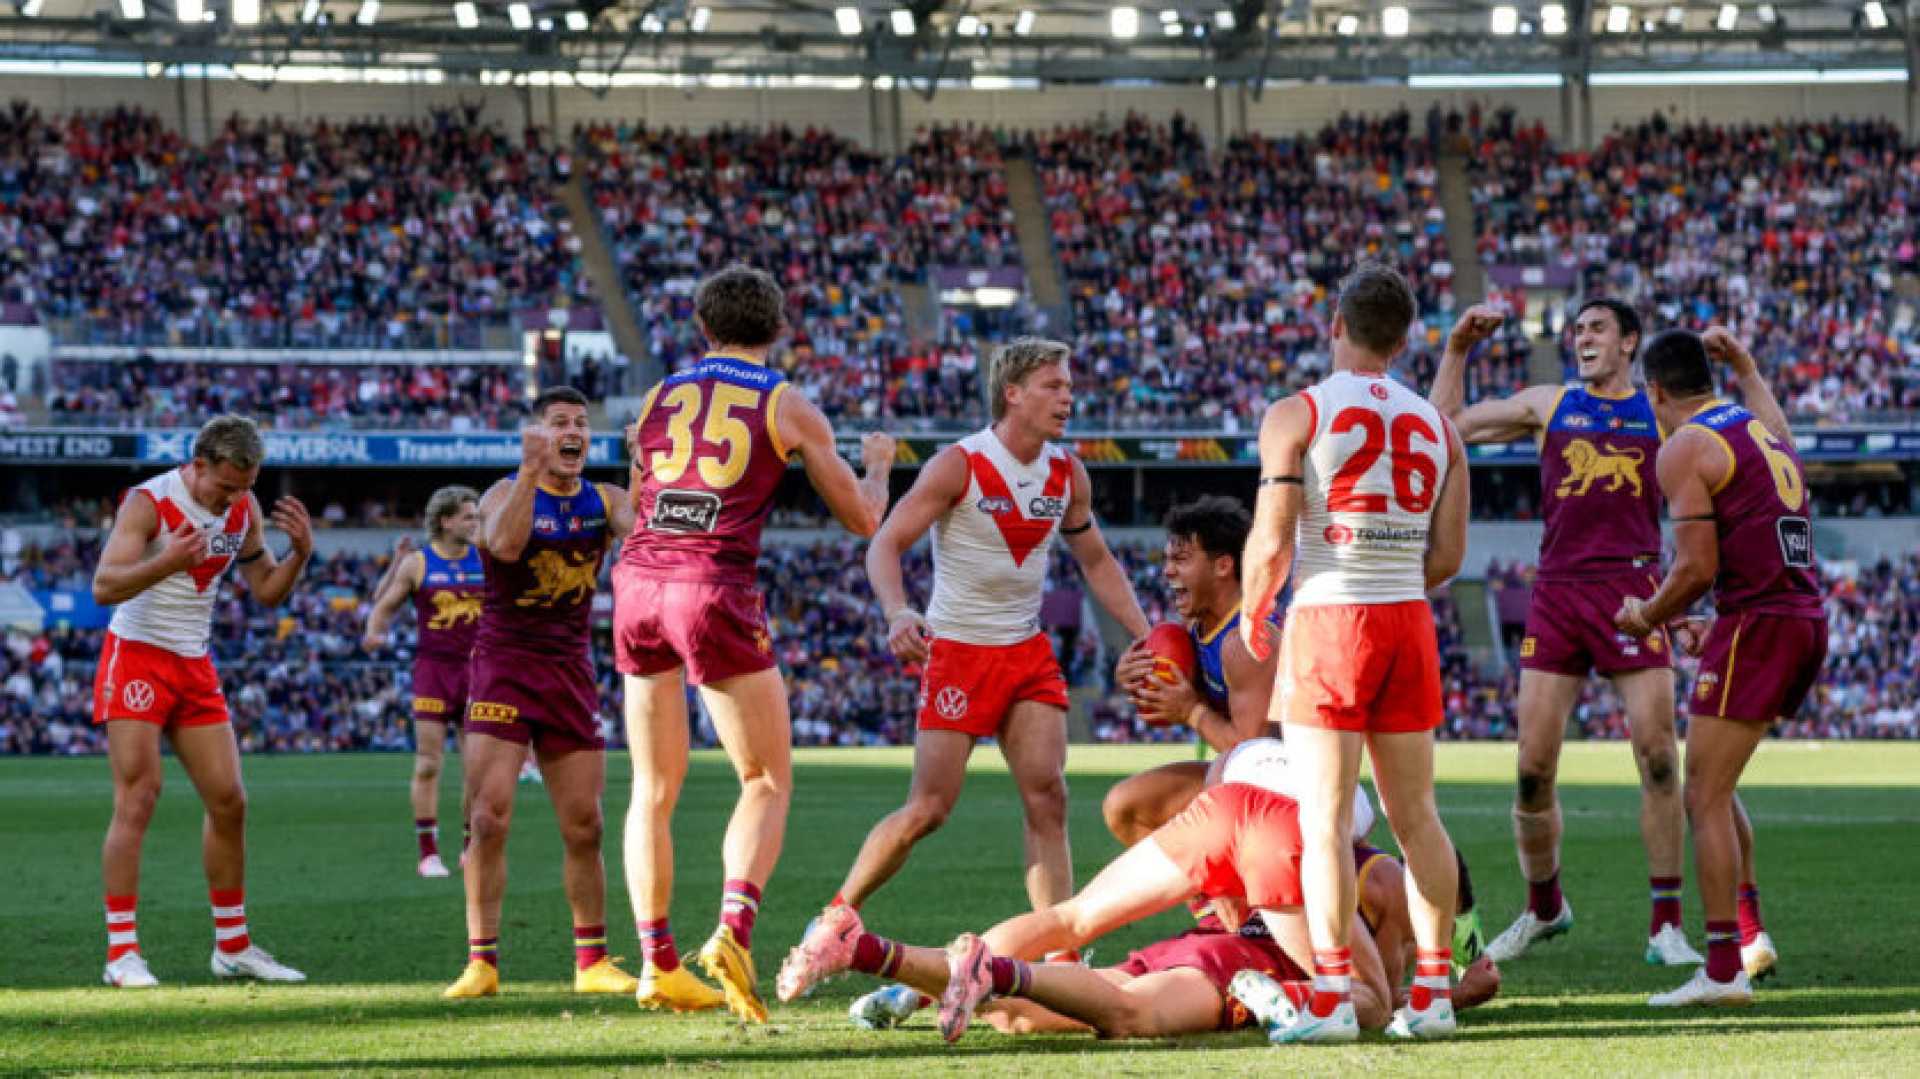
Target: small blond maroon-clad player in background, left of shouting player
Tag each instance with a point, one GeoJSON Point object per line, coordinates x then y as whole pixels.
{"type": "Point", "coordinates": [446, 583]}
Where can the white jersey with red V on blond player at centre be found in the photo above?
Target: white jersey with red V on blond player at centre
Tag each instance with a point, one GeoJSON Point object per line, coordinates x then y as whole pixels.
{"type": "Point", "coordinates": [992, 548]}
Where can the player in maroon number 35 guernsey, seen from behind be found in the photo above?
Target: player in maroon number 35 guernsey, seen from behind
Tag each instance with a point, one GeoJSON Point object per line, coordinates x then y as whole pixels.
{"type": "Point", "coordinates": [709, 450]}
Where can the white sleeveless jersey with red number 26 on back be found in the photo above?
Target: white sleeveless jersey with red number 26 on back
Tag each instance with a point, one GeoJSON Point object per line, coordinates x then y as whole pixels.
{"type": "Point", "coordinates": [1374, 471]}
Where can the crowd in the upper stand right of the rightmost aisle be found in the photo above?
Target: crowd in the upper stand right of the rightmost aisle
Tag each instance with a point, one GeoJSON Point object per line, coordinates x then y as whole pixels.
{"type": "Point", "coordinates": [1794, 235]}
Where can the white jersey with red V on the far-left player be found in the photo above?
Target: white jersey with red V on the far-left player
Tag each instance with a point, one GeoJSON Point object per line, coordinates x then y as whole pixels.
{"type": "Point", "coordinates": [178, 611]}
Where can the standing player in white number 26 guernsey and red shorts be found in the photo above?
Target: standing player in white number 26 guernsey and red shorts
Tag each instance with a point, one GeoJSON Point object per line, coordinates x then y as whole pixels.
{"type": "Point", "coordinates": [1370, 485]}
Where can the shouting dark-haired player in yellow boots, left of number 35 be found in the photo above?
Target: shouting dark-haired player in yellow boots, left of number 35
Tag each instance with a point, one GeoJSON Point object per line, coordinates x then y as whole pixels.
{"type": "Point", "coordinates": [531, 684]}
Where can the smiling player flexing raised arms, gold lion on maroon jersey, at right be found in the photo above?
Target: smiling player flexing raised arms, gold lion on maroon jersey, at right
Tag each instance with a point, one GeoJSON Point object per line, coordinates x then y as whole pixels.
{"type": "Point", "coordinates": [1602, 544]}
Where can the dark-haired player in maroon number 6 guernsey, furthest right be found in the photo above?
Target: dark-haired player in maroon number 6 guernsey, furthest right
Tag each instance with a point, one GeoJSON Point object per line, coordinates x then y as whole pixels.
{"type": "Point", "coordinates": [1740, 512]}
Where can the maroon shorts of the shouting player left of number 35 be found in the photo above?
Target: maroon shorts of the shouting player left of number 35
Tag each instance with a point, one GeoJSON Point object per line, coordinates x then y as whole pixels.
{"type": "Point", "coordinates": [546, 702]}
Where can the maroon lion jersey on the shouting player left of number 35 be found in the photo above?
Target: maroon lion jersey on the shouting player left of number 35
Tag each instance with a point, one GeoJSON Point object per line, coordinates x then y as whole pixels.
{"type": "Point", "coordinates": [544, 602]}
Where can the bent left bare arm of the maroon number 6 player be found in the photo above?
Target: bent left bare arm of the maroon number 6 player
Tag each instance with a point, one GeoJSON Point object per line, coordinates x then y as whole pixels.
{"type": "Point", "coordinates": [1692, 464]}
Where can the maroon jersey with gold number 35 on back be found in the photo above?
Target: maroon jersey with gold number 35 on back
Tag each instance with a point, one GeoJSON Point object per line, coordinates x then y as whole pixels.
{"type": "Point", "coordinates": [708, 464]}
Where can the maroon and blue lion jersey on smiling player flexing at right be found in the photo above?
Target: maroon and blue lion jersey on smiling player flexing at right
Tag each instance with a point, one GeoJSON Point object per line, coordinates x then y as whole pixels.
{"type": "Point", "coordinates": [1598, 492]}
